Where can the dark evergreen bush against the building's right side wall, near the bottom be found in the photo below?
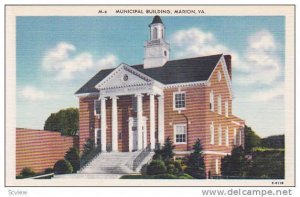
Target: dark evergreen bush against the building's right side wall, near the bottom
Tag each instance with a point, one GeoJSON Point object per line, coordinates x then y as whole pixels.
{"type": "Point", "coordinates": [236, 164]}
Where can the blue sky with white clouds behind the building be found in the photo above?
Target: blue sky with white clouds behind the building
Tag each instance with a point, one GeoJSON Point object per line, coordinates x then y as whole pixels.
{"type": "Point", "coordinates": [57, 55]}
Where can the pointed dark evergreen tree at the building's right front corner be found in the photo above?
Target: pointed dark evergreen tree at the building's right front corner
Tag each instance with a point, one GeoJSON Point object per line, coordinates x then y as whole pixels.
{"type": "Point", "coordinates": [195, 163]}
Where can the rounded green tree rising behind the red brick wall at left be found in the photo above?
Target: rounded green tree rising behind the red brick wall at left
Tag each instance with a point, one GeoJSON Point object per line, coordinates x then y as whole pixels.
{"type": "Point", "coordinates": [65, 121]}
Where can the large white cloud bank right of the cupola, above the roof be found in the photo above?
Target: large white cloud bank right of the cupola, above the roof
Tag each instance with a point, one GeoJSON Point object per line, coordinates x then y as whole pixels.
{"type": "Point", "coordinates": [258, 65]}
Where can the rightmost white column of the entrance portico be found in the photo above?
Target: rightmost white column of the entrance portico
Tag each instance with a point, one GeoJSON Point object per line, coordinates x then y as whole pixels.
{"type": "Point", "coordinates": [161, 120]}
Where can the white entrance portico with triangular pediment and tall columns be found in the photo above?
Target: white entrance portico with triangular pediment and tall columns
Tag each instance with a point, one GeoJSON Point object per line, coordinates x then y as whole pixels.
{"type": "Point", "coordinates": [123, 81]}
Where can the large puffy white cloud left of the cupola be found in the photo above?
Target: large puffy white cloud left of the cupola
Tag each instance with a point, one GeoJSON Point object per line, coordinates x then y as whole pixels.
{"type": "Point", "coordinates": [65, 63]}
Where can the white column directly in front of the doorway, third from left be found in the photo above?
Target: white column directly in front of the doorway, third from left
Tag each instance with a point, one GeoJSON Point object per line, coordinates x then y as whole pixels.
{"type": "Point", "coordinates": [140, 120]}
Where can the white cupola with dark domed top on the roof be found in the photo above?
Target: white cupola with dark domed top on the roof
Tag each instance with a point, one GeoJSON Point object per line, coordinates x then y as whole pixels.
{"type": "Point", "coordinates": [156, 49]}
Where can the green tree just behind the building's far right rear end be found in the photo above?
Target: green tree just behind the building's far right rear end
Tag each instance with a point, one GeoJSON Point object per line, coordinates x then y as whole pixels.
{"type": "Point", "coordinates": [251, 139]}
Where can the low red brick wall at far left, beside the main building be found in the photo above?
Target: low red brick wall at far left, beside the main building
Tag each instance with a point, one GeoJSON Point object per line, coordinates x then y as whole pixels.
{"type": "Point", "coordinates": [40, 149]}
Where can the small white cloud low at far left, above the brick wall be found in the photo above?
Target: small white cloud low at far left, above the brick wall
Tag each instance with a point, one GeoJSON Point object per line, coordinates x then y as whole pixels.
{"type": "Point", "coordinates": [33, 94]}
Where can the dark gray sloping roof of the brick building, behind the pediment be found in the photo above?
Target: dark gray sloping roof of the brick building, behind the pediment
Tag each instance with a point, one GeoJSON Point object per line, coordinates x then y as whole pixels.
{"type": "Point", "coordinates": [174, 71]}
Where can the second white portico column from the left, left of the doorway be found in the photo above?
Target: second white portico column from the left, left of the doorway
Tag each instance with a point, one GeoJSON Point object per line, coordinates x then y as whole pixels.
{"type": "Point", "coordinates": [114, 124]}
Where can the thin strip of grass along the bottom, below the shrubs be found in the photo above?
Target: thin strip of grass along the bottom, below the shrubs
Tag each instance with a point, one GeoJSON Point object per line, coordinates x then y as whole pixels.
{"type": "Point", "coordinates": [159, 176]}
